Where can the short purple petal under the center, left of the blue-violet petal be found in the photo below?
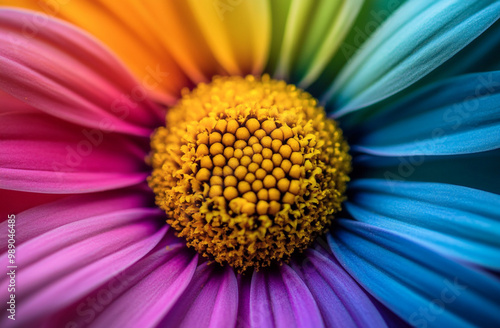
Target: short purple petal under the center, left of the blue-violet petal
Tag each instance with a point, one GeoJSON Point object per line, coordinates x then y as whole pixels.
{"type": "Point", "coordinates": [279, 298]}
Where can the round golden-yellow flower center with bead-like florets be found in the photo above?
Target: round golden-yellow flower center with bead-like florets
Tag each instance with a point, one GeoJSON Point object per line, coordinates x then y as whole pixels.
{"type": "Point", "coordinates": [249, 170]}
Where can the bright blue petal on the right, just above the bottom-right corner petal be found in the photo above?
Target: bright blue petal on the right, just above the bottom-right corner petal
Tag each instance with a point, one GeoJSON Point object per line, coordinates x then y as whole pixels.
{"type": "Point", "coordinates": [460, 222]}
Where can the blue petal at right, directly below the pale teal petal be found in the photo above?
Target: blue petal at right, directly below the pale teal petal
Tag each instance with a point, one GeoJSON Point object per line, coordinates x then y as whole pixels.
{"type": "Point", "coordinates": [455, 116]}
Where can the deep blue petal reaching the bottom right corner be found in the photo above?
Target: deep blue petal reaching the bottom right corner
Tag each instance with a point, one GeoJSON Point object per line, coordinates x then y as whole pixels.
{"type": "Point", "coordinates": [419, 285]}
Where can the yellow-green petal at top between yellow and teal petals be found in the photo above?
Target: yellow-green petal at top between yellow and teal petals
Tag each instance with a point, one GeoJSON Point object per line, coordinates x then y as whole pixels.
{"type": "Point", "coordinates": [311, 35]}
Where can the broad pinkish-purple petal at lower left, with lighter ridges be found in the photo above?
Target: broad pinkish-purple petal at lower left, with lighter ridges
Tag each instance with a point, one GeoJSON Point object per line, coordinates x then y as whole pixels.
{"type": "Point", "coordinates": [66, 263]}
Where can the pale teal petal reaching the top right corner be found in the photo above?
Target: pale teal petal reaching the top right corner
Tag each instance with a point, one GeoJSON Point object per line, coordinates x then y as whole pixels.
{"type": "Point", "coordinates": [418, 38]}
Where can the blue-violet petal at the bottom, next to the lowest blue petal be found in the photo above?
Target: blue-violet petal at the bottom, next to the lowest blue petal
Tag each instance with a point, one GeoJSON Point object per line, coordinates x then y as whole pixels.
{"type": "Point", "coordinates": [342, 302]}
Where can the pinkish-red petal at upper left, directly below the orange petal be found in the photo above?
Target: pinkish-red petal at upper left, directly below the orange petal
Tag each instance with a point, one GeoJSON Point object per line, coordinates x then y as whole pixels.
{"type": "Point", "coordinates": [63, 71]}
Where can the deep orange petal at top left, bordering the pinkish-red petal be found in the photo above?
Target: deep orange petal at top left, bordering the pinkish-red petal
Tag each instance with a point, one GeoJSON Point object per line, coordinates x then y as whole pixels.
{"type": "Point", "coordinates": [134, 40]}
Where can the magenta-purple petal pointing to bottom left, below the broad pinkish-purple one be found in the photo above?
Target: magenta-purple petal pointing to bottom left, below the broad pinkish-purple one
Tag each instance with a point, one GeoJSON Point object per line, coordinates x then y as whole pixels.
{"type": "Point", "coordinates": [158, 281]}
